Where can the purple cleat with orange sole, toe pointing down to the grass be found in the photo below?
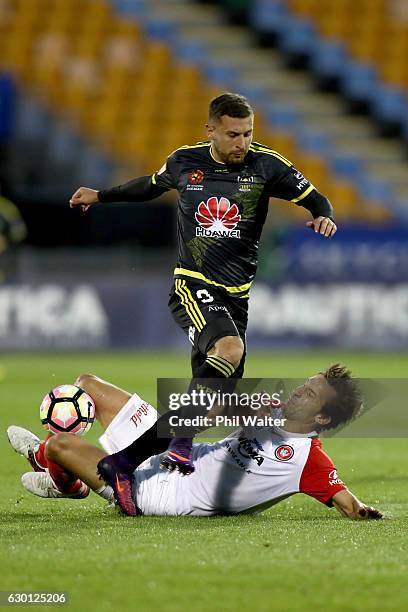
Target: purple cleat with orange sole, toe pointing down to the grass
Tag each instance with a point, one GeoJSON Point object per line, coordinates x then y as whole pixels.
{"type": "Point", "coordinates": [119, 478]}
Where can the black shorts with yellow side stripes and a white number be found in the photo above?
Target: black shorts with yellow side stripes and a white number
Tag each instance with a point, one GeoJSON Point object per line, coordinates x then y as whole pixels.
{"type": "Point", "coordinates": [206, 313]}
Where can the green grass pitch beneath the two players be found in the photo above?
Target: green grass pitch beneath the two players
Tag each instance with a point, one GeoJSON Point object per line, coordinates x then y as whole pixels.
{"type": "Point", "coordinates": [297, 556]}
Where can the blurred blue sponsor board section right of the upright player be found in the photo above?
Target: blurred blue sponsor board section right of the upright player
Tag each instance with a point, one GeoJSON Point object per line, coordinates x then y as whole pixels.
{"type": "Point", "coordinates": [346, 315]}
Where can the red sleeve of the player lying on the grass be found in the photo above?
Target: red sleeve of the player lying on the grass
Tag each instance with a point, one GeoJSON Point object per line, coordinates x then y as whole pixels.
{"type": "Point", "coordinates": [319, 477]}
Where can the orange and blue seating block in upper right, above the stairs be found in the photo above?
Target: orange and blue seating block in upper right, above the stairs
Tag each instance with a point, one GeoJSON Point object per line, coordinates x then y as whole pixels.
{"type": "Point", "coordinates": [346, 40]}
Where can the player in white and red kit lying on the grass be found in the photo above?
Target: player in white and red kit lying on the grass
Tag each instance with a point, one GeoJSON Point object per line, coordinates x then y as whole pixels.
{"type": "Point", "coordinates": [250, 470]}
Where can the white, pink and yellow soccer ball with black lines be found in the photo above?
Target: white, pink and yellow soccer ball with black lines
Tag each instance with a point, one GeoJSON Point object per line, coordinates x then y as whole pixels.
{"type": "Point", "coordinates": [67, 408]}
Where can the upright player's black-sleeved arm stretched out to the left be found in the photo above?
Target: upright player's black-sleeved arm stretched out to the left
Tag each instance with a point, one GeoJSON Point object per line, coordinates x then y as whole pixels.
{"type": "Point", "coordinates": [137, 190]}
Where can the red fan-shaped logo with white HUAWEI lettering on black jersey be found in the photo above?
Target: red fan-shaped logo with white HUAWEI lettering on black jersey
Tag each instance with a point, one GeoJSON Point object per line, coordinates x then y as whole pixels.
{"type": "Point", "coordinates": [218, 218]}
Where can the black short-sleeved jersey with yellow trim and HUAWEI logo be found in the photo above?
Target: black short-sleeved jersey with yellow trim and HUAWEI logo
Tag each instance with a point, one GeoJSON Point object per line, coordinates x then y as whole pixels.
{"type": "Point", "coordinates": [222, 209]}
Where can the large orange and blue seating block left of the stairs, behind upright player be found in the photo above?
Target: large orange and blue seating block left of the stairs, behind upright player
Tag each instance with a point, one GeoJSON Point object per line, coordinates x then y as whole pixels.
{"type": "Point", "coordinates": [132, 85]}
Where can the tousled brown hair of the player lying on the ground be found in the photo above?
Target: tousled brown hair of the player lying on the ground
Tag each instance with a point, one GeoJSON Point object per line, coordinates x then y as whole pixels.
{"type": "Point", "coordinates": [348, 399]}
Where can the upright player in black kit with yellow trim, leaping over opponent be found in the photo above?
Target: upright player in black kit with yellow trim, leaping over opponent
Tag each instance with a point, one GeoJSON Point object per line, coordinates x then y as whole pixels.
{"type": "Point", "coordinates": [224, 186]}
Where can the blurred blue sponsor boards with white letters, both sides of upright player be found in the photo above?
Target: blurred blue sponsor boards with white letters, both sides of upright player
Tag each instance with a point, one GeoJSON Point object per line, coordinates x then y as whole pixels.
{"type": "Point", "coordinates": [123, 315]}
